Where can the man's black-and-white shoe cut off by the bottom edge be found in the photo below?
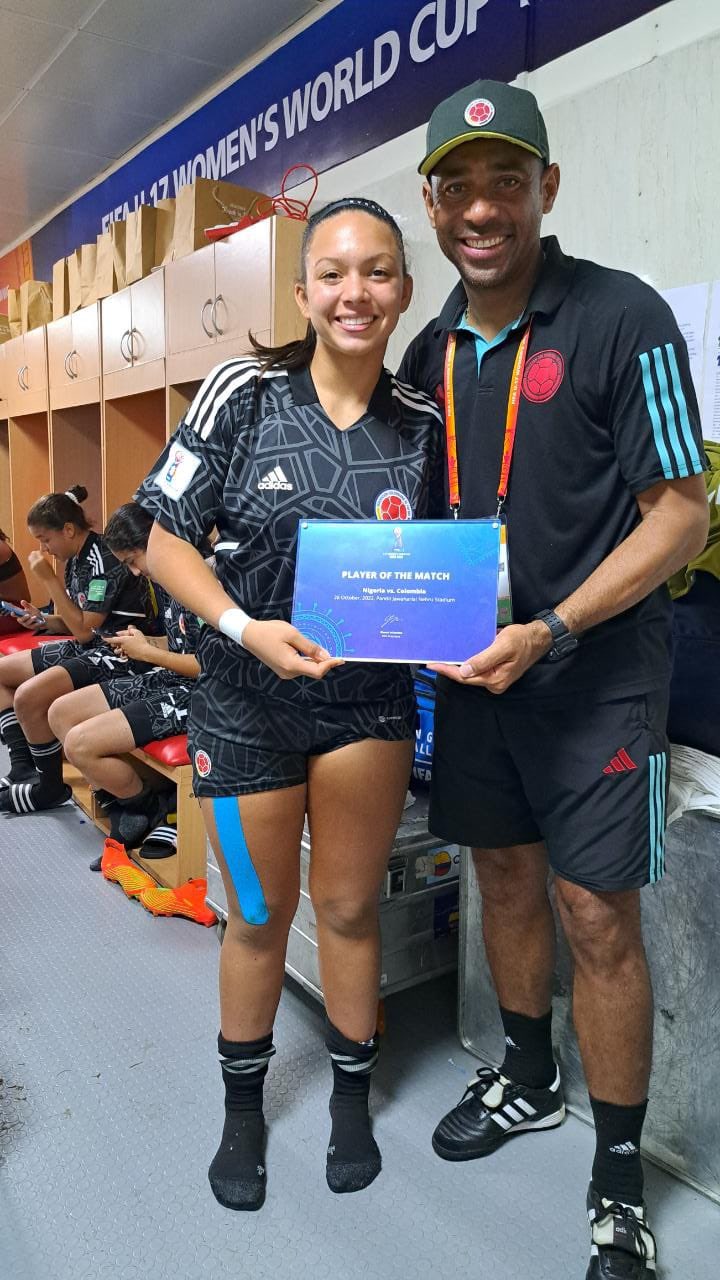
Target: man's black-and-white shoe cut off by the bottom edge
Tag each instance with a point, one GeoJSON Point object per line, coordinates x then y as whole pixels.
{"type": "Point", "coordinates": [623, 1246]}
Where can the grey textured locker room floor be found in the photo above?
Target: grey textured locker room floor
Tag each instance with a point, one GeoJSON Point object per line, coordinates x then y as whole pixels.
{"type": "Point", "coordinates": [111, 1108]}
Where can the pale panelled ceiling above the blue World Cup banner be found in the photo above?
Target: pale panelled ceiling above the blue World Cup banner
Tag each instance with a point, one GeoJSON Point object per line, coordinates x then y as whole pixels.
{"type": "Point", "coordinates": [83, 83]}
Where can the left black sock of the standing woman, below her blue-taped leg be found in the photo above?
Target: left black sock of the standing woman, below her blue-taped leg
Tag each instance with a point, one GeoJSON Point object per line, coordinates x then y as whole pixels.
{"type": "Point", "coordinates": [238, 1173]}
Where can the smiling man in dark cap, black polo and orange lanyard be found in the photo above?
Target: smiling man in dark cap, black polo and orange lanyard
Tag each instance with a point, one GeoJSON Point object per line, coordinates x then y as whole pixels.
{"type": "Point", "coordinates": [571, 413]}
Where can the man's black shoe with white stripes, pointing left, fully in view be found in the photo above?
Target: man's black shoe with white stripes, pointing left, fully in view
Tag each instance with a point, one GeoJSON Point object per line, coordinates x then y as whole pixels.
{"type": "Point", "coordinates": [493, 1110]}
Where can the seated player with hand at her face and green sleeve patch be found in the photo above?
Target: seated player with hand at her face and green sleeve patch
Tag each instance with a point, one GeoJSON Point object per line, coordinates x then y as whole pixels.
{"type": "Point", "coordinates": [98, 596]}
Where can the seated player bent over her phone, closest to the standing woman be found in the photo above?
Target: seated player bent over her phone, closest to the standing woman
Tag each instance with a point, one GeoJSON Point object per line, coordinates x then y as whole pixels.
{"type": "Point", "coordinates": [99, 725]}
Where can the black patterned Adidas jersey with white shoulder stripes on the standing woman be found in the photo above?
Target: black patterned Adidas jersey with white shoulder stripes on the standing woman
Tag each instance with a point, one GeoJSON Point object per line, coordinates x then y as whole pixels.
{"type": "Point", "coordinates": [254, 456]}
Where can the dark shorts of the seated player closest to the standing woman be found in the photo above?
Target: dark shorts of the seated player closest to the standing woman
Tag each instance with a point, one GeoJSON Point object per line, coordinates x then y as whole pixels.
{"type": "Point", "coordinates": [156, 705]}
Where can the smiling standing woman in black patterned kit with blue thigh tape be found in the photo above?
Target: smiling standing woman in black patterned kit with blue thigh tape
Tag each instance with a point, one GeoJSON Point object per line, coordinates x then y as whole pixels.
{"type": "Point", "coordinates": [315, 429]}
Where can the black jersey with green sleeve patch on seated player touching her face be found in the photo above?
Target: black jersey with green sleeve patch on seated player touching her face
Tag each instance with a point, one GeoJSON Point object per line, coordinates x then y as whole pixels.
{"type": "Point", "coordinates": [98, 583]}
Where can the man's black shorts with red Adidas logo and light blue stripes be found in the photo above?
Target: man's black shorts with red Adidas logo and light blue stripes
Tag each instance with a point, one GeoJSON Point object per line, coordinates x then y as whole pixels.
{"type": "Point", "coordinates": [587, 776]}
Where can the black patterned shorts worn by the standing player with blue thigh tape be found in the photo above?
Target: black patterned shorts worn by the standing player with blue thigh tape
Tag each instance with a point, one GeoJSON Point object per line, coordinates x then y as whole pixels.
{"type": "Point", "coordinates": [274, 739]}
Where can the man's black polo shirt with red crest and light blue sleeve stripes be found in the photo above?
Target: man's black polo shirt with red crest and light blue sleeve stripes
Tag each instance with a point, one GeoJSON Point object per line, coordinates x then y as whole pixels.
{"type": "Point", "coordinates": [608, 410]}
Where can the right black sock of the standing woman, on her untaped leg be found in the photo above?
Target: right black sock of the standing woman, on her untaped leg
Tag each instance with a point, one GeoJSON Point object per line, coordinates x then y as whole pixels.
{"type": "Point", "coordinates": [354, 1158]}
